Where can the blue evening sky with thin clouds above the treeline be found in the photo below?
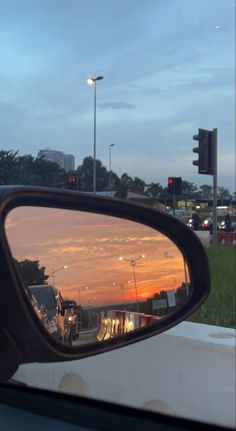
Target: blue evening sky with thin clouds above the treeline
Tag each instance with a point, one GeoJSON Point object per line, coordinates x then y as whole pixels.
{"type": "Point", "coordinates": [168, 67]}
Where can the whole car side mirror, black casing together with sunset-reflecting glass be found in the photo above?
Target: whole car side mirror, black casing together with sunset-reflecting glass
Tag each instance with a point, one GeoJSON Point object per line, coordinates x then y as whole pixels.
{"type": "Point", "coordinates": [128, 272]}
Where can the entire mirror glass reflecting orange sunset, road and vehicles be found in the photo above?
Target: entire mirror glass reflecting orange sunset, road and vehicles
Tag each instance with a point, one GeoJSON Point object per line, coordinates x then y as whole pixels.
{"type": "Point", "coordinates": [93, 277]}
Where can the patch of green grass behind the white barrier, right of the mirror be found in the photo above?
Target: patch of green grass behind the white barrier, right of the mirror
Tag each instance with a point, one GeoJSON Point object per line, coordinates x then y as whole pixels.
{"type": "Point", "coordinates": [220, 307]}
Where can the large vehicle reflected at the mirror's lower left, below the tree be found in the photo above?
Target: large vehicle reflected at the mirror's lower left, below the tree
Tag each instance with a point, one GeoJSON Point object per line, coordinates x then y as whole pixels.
{"type": "Point", "coordinates": [51, 300]}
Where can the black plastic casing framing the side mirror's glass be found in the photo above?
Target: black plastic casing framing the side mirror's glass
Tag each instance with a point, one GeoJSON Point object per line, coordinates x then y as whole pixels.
{"type": "Point", "coordinates": [31, 343]}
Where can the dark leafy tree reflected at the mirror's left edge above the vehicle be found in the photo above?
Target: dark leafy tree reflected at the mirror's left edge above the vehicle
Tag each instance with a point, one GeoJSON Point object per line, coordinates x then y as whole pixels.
{"type": "Point", "coordinates": [31, 272]}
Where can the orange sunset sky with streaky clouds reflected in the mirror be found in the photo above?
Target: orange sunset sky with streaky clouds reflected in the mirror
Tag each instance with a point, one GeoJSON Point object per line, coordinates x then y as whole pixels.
{"type": "Point", "coordinates": [91, 245]}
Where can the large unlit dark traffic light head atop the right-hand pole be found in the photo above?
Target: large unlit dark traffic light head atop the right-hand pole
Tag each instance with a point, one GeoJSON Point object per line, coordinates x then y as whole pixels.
{"type": "Point", "coordinates": [205, 151]}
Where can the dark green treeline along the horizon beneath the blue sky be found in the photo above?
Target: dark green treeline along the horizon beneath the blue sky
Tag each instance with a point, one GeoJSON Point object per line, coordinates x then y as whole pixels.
{"type": "Point", "coordinates": [27, 170]}
